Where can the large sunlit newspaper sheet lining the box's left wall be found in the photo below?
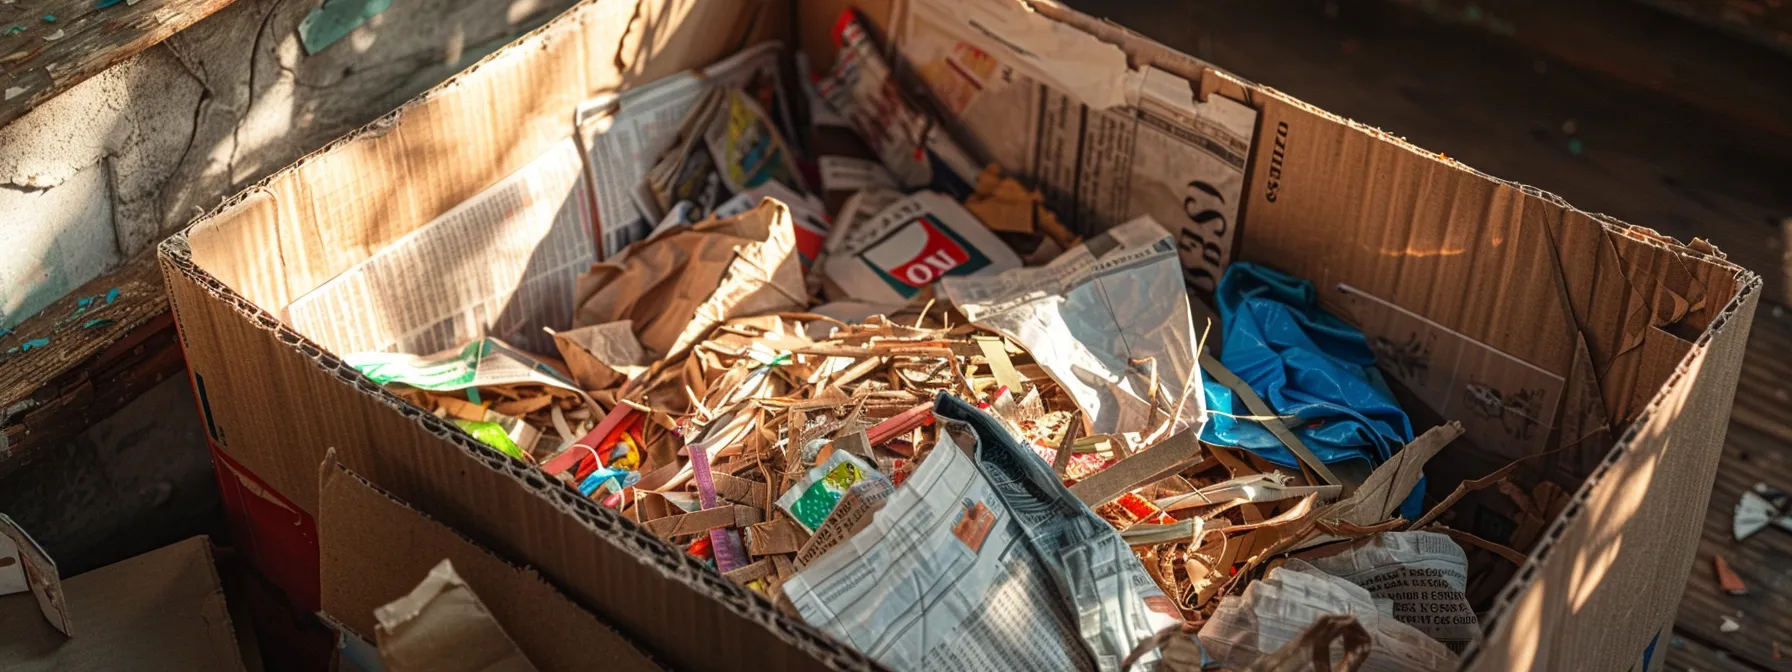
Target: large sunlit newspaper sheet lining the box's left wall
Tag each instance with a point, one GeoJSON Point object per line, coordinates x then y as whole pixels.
{"type": "Point", "coordinates": [501, 264]}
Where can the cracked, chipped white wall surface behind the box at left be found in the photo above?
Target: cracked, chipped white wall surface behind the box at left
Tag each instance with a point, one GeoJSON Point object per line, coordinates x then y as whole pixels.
{"type": "Point", "coordinates": [108, 168]}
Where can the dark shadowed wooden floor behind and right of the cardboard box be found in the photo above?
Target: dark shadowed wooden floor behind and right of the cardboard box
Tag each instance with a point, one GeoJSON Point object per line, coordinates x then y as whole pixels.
{"type": "Point", "coordinates": [1506, 105]}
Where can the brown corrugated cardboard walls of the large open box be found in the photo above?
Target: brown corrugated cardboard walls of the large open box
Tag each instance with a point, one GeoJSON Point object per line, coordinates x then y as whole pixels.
{"type": "Point", "coordinates": [1644, 336]}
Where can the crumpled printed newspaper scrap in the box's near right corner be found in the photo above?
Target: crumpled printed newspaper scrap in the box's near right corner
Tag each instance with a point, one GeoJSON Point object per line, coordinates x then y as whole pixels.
{"type": "Point", "coordinates": [1424, 574]}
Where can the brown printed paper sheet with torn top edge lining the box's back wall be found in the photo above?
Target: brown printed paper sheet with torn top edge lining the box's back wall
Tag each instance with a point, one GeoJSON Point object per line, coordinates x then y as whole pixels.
{"type": "Point", "coordinates": [1105, 144]}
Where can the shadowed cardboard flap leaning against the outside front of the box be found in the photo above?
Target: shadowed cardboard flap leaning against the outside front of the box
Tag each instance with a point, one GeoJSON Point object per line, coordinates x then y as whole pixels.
{"type": "Point", "coordinates": [372, 544]}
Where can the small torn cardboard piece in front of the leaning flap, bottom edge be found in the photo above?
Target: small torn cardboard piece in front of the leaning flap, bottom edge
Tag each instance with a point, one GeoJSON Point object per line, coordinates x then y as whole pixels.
{"type": "Point", "coordinates": [444, 628]}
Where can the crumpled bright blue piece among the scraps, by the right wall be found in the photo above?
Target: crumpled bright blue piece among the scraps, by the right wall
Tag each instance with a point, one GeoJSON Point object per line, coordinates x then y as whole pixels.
{"type": "Point", "coordinates": [1304, 363]}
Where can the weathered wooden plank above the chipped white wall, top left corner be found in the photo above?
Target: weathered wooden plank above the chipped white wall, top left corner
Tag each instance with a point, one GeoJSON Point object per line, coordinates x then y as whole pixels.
{"type": "Point", "coordinates": [87, 40]}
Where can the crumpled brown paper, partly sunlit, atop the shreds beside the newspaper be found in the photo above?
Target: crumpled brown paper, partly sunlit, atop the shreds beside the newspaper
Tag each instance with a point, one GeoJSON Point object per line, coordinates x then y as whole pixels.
{"type": "Point", "coordinates": [678, 286]}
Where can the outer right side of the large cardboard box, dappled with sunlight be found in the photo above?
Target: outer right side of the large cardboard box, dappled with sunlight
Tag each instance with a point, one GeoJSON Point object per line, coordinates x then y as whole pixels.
{"type": "Point", "coordinates": [1567, 608]}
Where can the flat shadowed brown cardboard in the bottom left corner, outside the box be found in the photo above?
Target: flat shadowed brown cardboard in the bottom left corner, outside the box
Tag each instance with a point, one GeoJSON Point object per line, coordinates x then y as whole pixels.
{"type": "Point", "coordinates": [162, 610]}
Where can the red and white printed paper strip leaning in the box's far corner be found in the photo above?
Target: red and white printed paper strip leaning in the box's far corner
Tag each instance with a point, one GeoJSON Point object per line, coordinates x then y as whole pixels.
{"type": "Point", "coordinates": [906, 139]}
